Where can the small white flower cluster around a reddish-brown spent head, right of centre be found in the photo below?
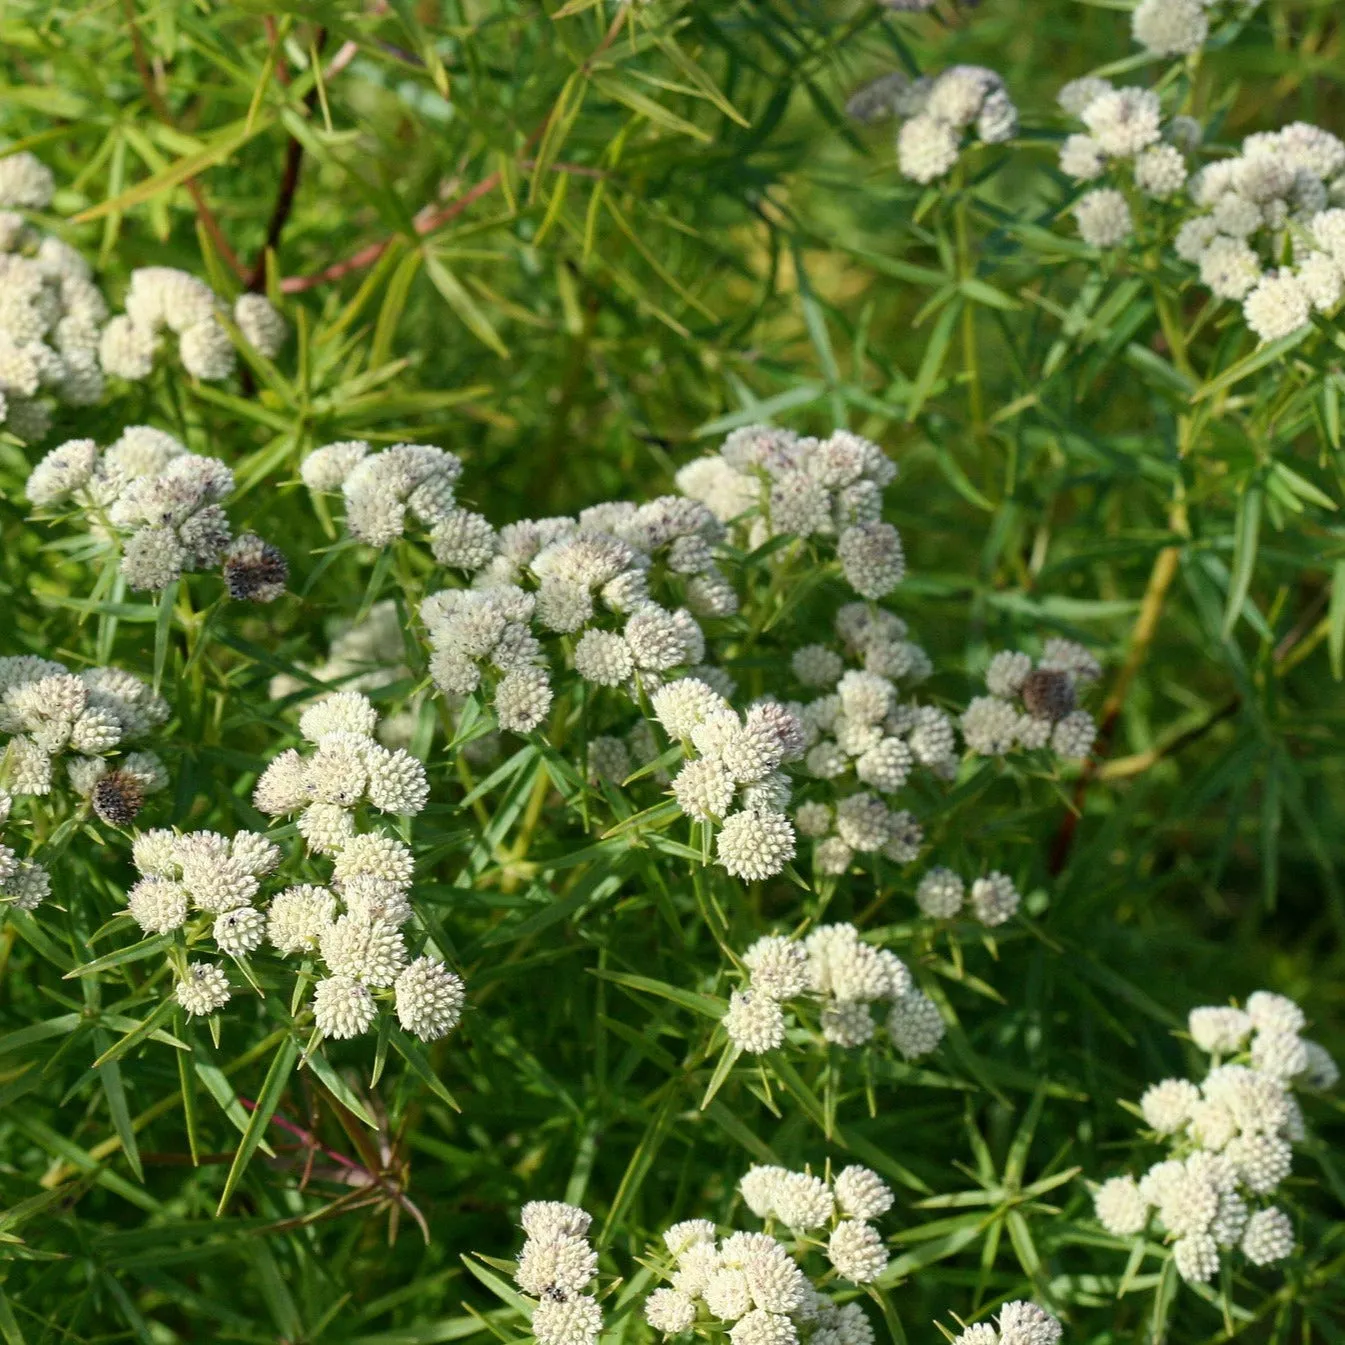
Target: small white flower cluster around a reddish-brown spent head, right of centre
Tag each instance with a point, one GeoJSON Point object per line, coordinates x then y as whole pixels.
{"type": "Point", "coordinates": [1034, 705]}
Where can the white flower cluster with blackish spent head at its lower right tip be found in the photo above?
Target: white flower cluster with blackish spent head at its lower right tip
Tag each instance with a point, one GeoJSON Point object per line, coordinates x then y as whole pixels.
{"type": "Point", "coordinates": [161, 501]}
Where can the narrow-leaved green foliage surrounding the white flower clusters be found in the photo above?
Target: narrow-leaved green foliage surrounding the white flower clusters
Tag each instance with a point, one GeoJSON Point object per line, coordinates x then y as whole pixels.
{"type": "Point", "coordinates": [658, 231]}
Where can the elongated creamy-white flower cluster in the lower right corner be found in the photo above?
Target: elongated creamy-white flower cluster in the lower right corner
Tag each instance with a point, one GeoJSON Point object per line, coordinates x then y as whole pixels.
{"type": "Point", "coordinates": [1230, 1140]}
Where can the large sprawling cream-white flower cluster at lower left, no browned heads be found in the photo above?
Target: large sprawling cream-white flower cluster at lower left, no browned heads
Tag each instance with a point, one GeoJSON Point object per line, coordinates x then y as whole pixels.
{"type": "Point", "coordinates": [354, 927]}
